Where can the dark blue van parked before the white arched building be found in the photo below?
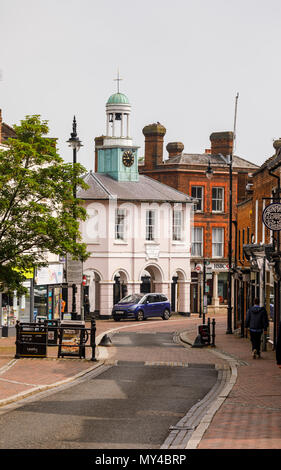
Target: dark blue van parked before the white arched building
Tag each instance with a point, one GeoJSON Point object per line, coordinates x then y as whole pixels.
{"type": "Point", "coordinates": [141, 306]}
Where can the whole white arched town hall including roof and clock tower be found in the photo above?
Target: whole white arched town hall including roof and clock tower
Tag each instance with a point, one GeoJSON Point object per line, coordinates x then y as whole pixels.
{"type": "Point", "coordinates": [138, 230]}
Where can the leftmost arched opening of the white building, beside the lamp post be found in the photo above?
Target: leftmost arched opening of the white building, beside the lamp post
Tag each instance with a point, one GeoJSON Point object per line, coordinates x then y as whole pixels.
{"type": "Point", "coordinates": [91, 294]}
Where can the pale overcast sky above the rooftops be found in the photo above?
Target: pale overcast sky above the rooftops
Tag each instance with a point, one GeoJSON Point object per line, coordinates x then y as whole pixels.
{"type": "Point", "coordinates": [182, 63]}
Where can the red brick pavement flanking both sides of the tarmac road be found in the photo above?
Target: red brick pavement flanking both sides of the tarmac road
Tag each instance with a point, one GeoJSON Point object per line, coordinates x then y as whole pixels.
{"type": "Point", "coordinates": [242, 412]}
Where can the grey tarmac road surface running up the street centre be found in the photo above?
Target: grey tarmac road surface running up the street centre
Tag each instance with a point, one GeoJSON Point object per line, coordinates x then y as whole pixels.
{"type": "Point", "coordinates": [123, 405]}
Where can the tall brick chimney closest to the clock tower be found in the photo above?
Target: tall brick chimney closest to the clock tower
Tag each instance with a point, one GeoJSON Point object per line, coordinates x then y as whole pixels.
{"type": "Point", "coordinates": [154, 139]}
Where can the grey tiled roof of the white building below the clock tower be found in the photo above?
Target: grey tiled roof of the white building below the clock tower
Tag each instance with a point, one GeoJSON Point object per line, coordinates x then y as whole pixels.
{"type": "Point", "coordinates": [146, 189]}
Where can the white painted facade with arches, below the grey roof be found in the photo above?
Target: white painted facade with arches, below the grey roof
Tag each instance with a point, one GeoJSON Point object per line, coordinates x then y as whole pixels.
{"type": "Point", "coordinates": [134, 256]}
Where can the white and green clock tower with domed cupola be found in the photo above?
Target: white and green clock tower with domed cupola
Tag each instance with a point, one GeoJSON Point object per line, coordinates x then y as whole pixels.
{"type": "Point", "coordinates": [116, 155]}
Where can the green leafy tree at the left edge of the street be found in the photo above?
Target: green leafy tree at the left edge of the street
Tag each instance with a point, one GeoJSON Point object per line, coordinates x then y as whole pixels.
{"type": "Point", "coordinates": [38, 211]}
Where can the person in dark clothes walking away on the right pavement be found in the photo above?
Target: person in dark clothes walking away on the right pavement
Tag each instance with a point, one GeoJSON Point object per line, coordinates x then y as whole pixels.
{"type": "Point", "coordinates": [257, 322]}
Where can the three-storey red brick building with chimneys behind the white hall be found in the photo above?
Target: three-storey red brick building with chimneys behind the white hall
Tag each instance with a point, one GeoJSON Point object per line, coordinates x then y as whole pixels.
{"type": "Point", "coordinates": [187, 173]}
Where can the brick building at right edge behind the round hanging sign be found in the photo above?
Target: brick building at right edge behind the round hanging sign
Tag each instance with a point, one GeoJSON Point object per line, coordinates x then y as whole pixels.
{"type": "Point", "coordinates": [258, 271]}
